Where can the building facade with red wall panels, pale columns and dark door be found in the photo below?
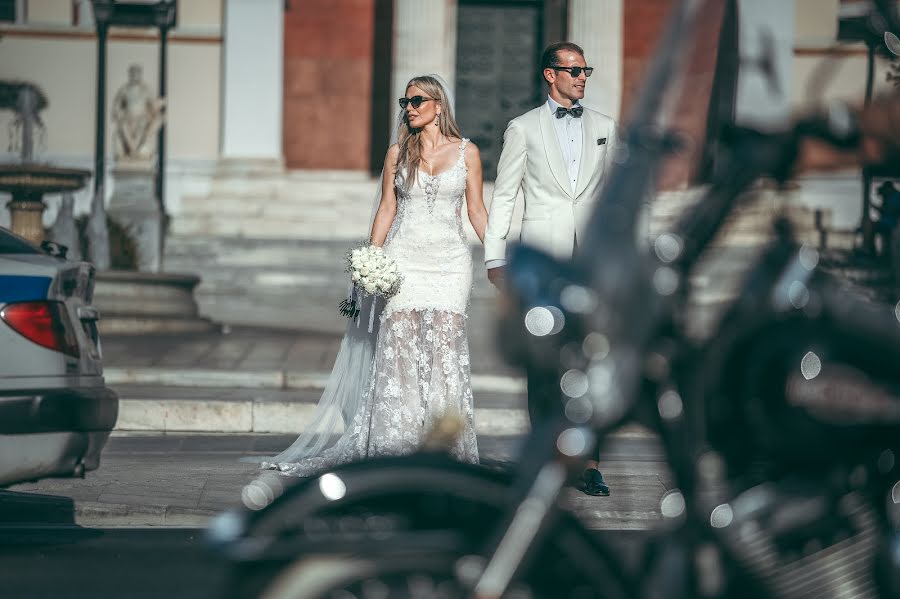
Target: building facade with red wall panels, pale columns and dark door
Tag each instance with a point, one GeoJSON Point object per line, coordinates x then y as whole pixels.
{"type": "Point", "coordinates": [311, 85]}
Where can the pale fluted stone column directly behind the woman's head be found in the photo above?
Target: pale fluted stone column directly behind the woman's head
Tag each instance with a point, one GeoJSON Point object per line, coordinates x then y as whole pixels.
{"type": "Point", "coordinates": [424, 42]}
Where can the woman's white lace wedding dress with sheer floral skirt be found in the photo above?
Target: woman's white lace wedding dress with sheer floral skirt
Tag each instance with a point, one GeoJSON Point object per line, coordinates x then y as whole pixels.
{"type": "Point", "coordinates": [421, 363]}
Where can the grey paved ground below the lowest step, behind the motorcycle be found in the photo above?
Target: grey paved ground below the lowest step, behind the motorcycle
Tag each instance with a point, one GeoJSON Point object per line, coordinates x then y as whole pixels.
{"type": "Point", "coordinates": [183, 480]}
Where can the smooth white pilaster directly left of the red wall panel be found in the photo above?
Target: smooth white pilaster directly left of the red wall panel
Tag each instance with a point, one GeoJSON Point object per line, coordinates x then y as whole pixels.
{"type": "Point", "coordinates": [252, 83]}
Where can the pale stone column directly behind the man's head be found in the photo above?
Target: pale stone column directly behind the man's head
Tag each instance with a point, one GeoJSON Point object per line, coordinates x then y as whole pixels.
{"type": "Point", "coordinates": [596, 26]}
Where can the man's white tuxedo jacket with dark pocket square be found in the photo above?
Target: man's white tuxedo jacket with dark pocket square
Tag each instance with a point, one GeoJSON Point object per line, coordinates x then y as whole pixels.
{"type": "Point", "coordinates": [555, 215]}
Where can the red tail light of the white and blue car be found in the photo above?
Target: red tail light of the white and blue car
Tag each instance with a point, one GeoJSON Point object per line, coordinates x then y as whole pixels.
{"type": "Point", "coordinates": [45, 323]}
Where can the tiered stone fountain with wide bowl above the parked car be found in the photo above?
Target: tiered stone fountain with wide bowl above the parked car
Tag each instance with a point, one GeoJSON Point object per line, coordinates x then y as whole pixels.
{"type": "Point", "coordinates": [27, 180]}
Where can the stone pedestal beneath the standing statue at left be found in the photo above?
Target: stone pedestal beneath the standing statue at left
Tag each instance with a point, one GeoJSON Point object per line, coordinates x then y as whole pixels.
{"type": "Point", "coordinates": [135, 207]}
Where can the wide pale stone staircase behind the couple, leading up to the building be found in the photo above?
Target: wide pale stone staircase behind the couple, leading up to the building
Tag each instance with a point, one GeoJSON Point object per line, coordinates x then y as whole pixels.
{"type": "Point", "coordinates": [269, 248]}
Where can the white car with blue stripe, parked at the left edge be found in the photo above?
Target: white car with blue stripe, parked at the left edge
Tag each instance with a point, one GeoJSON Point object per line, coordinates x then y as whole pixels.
{"type": "Point", "coordinates": [56, 412]}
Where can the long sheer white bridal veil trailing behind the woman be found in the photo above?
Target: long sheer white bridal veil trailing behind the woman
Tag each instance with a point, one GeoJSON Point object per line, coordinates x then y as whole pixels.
{"type": "Point", "coordinates": [349, 384]}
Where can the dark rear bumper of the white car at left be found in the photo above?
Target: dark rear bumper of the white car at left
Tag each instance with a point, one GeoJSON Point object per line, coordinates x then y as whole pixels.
{"type": "Point", "coordinates": [54, 433]}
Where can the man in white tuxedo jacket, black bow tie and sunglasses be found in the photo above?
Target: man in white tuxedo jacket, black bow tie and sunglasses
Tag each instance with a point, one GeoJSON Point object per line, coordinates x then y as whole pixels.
{"type": "Point", "coordinates": [558, 154]}
